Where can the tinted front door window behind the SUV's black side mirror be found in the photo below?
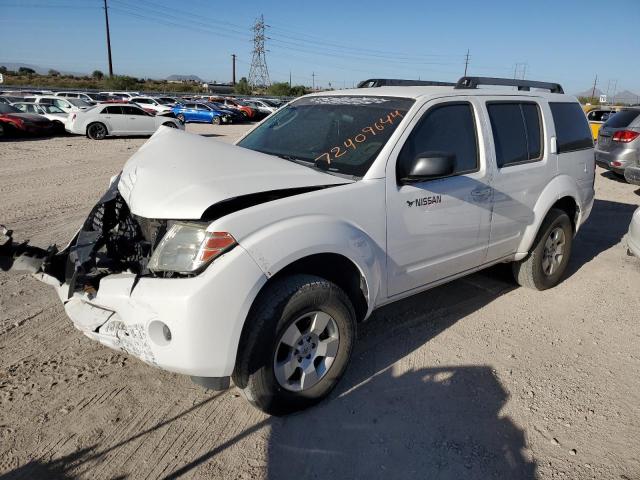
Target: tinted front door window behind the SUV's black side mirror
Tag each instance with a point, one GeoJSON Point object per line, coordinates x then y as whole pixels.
{"type": "Point", "coordinates": [447, 128]}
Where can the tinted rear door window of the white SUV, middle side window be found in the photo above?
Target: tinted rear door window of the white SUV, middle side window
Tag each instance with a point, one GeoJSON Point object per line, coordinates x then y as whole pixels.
{"type": "Point", "coordinates": [517, 132]}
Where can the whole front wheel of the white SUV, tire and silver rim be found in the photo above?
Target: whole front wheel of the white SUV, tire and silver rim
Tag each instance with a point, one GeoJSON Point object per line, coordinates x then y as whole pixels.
{"type": "Point", "coordinates": [296, 300]}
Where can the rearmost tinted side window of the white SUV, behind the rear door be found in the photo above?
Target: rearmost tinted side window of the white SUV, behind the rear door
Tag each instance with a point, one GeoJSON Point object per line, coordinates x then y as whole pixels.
{"type": "Point", "coordinates": [572, 128]}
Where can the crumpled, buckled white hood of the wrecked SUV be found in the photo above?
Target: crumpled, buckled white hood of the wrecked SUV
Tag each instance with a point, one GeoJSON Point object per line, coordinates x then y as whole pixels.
{"type": "Point", "coordinates": [178, 175]}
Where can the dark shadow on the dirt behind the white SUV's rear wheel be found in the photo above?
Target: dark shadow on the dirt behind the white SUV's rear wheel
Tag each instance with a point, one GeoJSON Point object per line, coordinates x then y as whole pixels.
{"type": "Point", "coordinates": [605, 228]}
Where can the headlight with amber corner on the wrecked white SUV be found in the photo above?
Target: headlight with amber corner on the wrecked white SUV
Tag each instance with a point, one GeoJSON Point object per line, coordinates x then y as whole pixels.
{"type": "Point", "coordinates": [188, 247]}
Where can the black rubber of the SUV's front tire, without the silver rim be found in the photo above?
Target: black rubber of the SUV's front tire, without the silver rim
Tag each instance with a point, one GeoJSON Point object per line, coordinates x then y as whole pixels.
{"type": "Point", "coordinates": [279, 306]}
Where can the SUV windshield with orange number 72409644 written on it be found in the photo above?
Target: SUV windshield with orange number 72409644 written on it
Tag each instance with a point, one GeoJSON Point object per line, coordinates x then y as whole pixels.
{"type": "Point", "coordinates": [341, 134]}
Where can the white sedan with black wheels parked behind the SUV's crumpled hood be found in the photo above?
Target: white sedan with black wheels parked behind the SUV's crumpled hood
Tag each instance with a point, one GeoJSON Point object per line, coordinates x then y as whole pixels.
{"type": "Point", "coordinates": [118, 119]}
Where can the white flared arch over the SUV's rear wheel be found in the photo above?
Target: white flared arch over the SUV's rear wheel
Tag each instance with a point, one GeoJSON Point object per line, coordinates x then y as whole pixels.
{"type": "Point", "coordinates": [560, 187]}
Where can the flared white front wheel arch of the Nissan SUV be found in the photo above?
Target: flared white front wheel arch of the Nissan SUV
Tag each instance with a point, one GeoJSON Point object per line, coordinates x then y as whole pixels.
{"type": "Point", "coordinates": [281, 243]}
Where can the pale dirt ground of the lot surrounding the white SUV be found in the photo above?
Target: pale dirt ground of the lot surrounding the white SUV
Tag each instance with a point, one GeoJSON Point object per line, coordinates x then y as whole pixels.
{"type": "Point", "coordinates": [477, 379]}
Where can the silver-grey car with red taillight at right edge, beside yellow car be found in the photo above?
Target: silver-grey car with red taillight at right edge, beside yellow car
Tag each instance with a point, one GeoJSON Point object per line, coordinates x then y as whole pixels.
{"type": "Point", "coordinates": [618, 144]}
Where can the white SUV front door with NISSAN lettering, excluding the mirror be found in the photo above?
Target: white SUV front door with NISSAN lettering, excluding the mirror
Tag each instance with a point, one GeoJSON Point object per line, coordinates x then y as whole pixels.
{"type": "Point", "coordinates": [438, 228]}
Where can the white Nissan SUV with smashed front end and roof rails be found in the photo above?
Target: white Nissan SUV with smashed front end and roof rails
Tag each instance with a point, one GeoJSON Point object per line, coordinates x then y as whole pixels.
{"type": "Point", "coordinates": [257, 261]}
